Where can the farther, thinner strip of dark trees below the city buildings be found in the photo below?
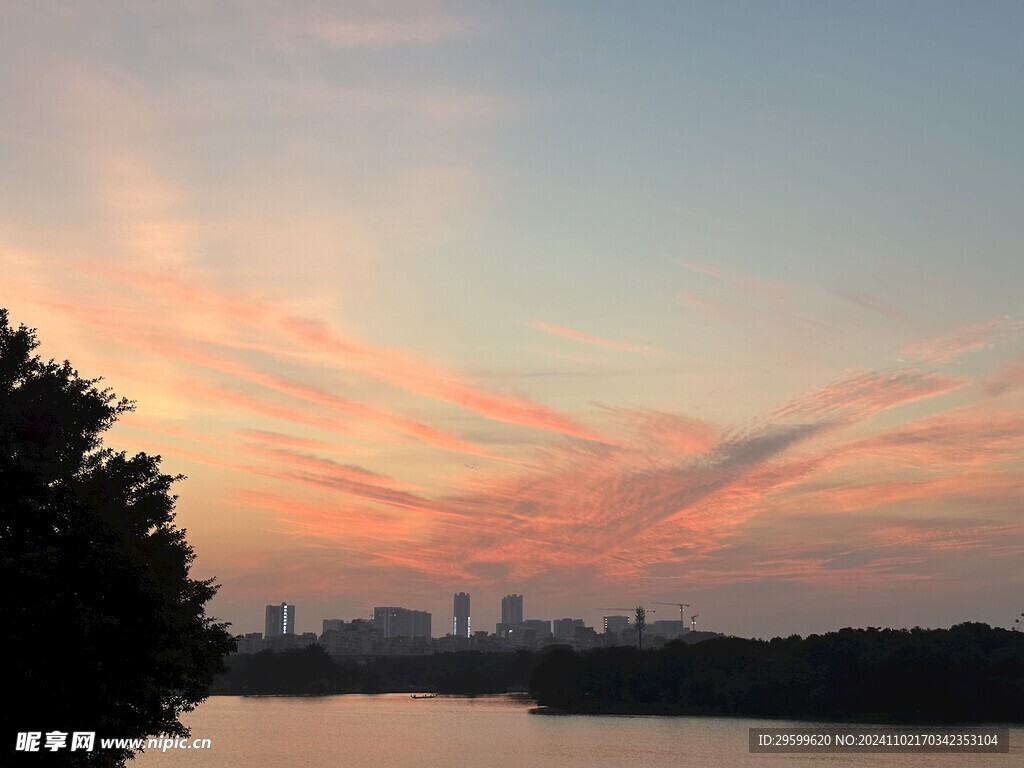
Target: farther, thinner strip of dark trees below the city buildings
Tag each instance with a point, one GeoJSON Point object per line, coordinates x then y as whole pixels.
{"type": "Point", "coordinates": [312, 671]}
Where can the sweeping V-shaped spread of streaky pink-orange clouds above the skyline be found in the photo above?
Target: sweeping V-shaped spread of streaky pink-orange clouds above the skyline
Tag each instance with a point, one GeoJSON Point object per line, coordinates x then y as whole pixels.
{"type": "Point", "coordinates": [670, 495]}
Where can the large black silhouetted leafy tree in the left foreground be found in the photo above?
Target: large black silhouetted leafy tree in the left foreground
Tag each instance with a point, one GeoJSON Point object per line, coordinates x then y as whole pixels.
{"type": "Point", "coordinates": [105, 630]}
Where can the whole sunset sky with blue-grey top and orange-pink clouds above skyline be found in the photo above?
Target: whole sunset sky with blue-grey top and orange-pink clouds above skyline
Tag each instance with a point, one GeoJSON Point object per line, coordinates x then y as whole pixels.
{"type": "Point", "coordinates": [600, 304]}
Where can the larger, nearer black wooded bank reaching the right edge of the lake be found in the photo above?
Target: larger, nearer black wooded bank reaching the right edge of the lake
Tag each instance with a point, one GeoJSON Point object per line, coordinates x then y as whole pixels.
{"type": "Point", "coordinates": [969, 673]}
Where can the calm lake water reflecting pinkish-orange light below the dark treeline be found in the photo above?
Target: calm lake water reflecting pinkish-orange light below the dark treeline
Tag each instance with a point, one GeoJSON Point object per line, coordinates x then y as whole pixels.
{"type": "Point", "coordinates": [397, 732]}
